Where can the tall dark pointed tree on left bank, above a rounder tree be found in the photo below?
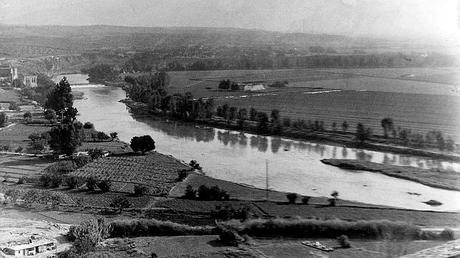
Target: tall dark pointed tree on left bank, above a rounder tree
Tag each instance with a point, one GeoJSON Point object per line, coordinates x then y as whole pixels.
{"type": "Point", "coordinates": [60, 98]}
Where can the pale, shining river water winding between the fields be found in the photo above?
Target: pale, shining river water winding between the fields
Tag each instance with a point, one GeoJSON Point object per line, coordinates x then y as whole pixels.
{"type": "Point", "coordinates": [293, 166]}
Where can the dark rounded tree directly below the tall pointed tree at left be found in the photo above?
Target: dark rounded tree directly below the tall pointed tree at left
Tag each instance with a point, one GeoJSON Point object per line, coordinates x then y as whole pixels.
{"type": "Point", "coordinates": [64, 139]}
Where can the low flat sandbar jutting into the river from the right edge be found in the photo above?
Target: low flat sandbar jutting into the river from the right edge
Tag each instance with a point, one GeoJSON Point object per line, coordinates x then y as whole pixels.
{"type": "Point", "coordinates": [443, 179]}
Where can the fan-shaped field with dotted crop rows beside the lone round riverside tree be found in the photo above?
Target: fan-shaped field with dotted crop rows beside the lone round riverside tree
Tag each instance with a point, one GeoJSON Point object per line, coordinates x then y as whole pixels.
{"type": "Point", "coordinates": [156, 171]}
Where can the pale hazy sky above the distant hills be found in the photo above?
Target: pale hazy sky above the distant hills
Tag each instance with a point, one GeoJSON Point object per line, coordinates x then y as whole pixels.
{"type": "Point", "coordinates": [350, 17]}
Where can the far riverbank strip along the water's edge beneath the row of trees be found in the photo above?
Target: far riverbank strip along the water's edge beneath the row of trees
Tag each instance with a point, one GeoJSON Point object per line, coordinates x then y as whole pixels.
{"type": "Point", "coordinates": [346, 139]}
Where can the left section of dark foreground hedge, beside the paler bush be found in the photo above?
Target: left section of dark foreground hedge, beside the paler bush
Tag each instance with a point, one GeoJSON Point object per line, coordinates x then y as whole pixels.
{"type": "Point", "coordinates": [152, 227]}
